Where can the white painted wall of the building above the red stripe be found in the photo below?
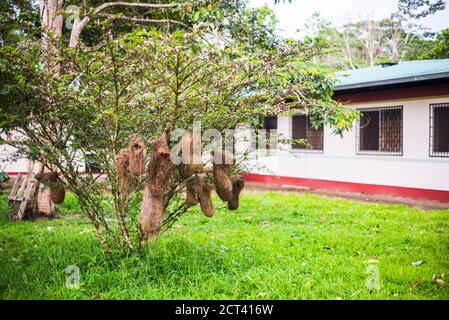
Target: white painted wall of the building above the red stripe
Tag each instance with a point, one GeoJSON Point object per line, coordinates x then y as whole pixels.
{"type": "Point", "coordinates": [339, 162]}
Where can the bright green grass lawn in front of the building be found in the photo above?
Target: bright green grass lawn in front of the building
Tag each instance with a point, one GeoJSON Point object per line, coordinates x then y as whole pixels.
{"type": "Point", "coordinates": [276, 246]}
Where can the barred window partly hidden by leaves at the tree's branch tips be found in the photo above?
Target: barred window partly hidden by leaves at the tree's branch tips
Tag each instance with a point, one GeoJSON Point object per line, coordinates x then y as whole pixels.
{"type": "Point", "coordinates": [301, 129]}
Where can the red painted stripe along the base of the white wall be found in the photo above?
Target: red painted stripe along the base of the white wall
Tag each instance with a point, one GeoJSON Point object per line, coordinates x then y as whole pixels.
{"type": "Point", "coordinates": [373, 189]}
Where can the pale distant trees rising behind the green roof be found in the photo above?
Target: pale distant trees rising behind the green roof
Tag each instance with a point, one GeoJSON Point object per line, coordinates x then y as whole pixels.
{"type": "Point", "coordinates": [368, 43]}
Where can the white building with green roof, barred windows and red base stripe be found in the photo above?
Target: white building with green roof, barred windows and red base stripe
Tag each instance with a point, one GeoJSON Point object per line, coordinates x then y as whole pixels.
{"type": "Point", "coordinates": [399, 147]}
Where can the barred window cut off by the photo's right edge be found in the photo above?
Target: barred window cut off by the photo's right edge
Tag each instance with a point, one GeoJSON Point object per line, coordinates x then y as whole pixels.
{"type": "Point", "coordinates": [439, 130]}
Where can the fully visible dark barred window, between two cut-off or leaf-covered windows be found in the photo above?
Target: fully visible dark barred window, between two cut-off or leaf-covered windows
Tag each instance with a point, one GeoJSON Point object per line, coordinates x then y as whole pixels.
{"type": "Point", "coordinates": [379, 131]}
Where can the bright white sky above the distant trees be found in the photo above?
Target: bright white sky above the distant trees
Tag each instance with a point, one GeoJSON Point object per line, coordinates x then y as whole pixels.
{"type": "Point", "coordinates": [292, 16]}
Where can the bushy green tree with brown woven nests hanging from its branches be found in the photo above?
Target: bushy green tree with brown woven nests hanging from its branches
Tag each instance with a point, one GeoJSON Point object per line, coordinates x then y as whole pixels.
{"type": "Point", "coordinates": [121, 104]}
